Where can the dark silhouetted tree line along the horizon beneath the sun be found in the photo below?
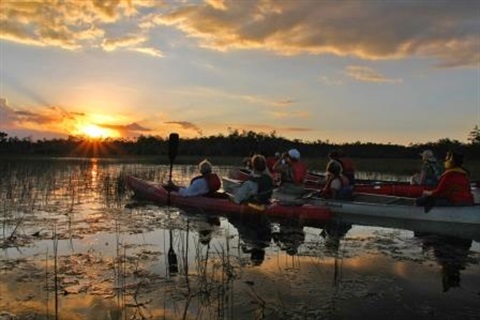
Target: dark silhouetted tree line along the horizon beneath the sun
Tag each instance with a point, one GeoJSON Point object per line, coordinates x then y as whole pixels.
{"type": "Point", "coordinates": [235, 144]}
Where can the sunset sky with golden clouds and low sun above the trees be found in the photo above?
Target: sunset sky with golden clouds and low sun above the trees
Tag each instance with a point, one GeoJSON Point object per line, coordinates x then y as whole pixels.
{"type": "Point", "coordinates": [370, 71]}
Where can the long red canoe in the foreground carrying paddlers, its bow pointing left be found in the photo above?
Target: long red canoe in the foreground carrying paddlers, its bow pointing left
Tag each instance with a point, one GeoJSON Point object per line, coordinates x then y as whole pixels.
{"type": "Point", "coordinates": [155, 192]}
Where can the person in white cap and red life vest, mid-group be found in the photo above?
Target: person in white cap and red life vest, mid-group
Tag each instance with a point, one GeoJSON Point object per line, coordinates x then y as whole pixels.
{"type": "Point", "coordinates": [292, 172]}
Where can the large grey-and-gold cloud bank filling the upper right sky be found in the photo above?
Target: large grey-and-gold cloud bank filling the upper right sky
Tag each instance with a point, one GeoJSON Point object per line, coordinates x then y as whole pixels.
{"type": "Point", "coordinates": [366, 29]}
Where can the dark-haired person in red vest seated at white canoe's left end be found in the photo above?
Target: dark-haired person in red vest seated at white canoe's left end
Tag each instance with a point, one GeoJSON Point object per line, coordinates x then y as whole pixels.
{"type": "Point", "coordinates": [337, 186]}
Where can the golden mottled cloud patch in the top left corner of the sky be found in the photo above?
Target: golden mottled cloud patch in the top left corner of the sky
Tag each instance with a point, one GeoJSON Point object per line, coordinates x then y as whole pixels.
{"type": "Point", "coordinates": [74, 25]}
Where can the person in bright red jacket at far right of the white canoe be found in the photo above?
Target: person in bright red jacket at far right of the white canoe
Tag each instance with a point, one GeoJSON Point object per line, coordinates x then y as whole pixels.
{"type": "Point", "coordinates": [453, 187]}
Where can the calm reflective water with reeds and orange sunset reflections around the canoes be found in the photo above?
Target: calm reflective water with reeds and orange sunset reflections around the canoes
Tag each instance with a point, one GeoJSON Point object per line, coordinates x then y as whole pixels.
{"type": "Point", "coordinates": [76, 245]}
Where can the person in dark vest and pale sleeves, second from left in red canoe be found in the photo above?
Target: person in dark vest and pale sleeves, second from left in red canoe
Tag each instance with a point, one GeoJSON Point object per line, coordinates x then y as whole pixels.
{"type": "Point", "coordinates": [259, 187]}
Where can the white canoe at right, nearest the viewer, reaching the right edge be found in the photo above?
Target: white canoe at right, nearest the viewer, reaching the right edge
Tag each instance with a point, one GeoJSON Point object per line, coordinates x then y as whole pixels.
{"type": "Point", "coordinates": [380, 206]}
